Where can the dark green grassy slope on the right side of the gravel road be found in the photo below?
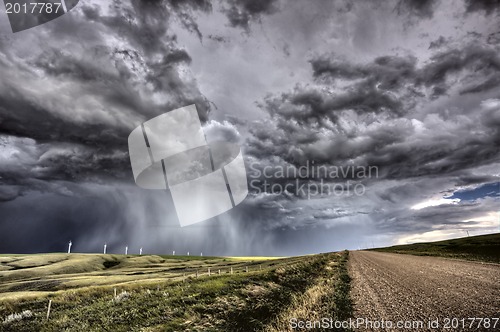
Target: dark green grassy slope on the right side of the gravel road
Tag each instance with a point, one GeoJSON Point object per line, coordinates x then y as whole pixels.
{"type": "Point", "coordinates": [481, 248]}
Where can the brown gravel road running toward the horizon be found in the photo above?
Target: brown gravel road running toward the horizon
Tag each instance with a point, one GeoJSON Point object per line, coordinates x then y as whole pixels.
{"type": "Point", "coordinates": [405, 289]}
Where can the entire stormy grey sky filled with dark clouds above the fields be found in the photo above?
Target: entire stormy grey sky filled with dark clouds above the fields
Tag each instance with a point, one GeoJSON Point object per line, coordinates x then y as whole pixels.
{"type": "Point", "coordinates": [361, 123]}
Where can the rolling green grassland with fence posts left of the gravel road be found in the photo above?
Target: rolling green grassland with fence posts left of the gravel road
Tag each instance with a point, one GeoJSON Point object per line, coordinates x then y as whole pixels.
{"type": "Point", "coordinates": [163, 292]}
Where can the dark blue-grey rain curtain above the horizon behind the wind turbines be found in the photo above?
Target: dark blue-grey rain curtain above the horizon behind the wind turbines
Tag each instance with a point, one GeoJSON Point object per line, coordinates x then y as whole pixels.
{"type": "Point", "coordinates": [110, 216]}
